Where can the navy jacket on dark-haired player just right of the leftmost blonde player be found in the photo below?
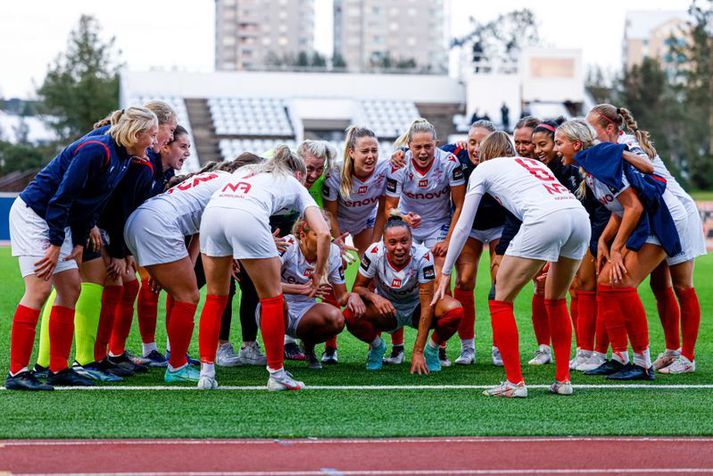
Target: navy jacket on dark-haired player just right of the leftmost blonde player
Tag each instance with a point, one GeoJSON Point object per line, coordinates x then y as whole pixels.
{"type": "Point", "coordinates": [143, 180]}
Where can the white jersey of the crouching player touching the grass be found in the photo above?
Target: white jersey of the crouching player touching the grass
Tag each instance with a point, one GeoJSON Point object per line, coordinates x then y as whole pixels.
{"type": "Point", "coordinates": [400, 286]}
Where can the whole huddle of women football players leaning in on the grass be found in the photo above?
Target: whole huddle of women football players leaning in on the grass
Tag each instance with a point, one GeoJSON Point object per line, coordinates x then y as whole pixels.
{"type": "Point", "coordinates": [584, 207]}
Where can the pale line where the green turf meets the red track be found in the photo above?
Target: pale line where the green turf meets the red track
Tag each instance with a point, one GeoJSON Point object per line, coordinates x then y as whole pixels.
{"type": "Point", "coordinates": [357, 441]}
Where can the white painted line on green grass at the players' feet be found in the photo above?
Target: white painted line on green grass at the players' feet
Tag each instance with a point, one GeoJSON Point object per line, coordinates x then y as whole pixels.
{"type": "Point", "coordinates": [389, 387]}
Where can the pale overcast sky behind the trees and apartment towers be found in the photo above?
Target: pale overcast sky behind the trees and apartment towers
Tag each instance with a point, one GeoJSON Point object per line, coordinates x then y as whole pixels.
{"type": "Point", "coordinates": [179, 33]}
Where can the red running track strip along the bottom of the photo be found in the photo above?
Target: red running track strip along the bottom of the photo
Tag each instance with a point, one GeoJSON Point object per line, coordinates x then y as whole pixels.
{"type": "Point", "coordinates": [391, 456]}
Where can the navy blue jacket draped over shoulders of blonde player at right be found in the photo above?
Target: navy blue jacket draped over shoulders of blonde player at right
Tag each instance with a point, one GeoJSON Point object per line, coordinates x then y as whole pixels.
{"type": "Point", "coordinates": [605, 163]}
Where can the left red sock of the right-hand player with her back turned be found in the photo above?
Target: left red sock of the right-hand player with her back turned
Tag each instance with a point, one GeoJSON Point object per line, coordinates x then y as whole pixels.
{"type": "Point", "coordinates": [506, 337]}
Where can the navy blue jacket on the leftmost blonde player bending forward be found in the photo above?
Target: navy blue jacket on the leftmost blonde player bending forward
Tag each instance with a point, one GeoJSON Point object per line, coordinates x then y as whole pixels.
{"type": "Point", "coordinates": [74, 186]}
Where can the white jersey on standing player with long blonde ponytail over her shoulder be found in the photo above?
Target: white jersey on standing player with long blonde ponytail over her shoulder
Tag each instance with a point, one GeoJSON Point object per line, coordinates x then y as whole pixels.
{"type": "Point", "coordinates": [365, 194]}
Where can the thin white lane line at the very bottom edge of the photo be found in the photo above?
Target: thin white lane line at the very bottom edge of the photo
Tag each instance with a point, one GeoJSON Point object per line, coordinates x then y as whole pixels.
{"type": "Point", "coordinates": [420, 472]}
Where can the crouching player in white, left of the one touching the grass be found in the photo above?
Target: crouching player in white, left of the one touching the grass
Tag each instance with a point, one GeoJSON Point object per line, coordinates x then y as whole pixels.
{"type": "Point", "coordinates": [308, 320]}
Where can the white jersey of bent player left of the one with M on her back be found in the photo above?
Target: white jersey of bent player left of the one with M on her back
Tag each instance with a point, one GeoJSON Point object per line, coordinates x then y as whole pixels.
{"type": "Point", "coordinates": [184, 203]}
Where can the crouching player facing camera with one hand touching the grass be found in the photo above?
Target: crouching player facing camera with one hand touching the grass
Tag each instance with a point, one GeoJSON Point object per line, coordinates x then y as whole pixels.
{"type": "Point", "coordinates": [403, 275]}
